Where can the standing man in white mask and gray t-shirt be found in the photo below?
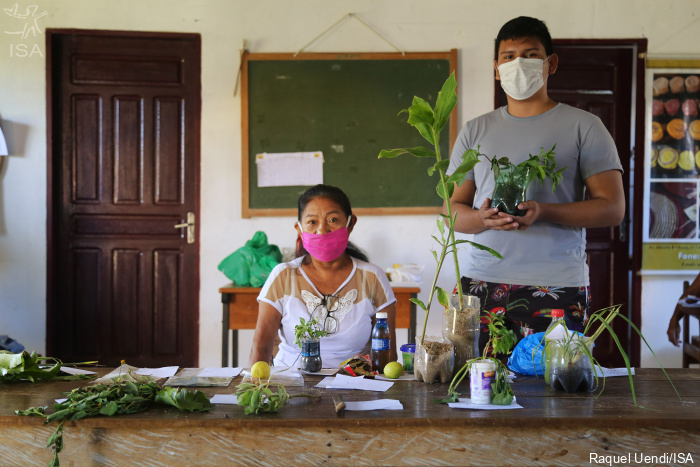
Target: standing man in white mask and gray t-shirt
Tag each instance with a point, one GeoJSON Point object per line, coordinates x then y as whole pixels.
{"type": "Point", "coordinates": [544, 251]}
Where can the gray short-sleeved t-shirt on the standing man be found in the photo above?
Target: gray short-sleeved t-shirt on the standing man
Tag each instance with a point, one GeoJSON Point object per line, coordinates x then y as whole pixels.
{"type": "Point", "coordinates": [545, 254]}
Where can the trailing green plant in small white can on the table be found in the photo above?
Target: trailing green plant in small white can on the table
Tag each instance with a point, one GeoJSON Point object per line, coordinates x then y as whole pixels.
{"type": "Point", "coordinates": [501, 342]}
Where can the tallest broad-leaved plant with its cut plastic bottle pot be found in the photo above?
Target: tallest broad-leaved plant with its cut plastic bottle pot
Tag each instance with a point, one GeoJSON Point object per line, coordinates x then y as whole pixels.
{"type": "Point", "coordinates": [434, 357]}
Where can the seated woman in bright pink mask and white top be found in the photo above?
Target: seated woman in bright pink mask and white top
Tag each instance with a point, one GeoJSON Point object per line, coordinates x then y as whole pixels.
{"type": "Point", "coordinates": [330, 280]}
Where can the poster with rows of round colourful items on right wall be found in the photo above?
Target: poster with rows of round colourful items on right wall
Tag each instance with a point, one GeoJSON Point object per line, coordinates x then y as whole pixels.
{"type": "Point", "coordinates": [672, 178]}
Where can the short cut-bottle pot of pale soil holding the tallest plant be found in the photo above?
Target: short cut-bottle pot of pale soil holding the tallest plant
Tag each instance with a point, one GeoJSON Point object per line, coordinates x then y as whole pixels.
{"type": "Point", "coordinates": [434, 360]}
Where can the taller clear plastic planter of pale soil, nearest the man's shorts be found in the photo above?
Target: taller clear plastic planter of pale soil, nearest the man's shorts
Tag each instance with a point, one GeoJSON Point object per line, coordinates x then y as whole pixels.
{"type": "Point", "coordinates": [460, 325]}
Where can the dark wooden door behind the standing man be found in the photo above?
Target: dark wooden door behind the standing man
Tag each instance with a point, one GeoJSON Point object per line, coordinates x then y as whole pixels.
{"type": "Point", "coordinates": [602, 77]}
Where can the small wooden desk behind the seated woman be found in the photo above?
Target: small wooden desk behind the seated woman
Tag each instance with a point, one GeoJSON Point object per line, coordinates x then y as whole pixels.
{"type": "Point", "coordinates": [240, 311]}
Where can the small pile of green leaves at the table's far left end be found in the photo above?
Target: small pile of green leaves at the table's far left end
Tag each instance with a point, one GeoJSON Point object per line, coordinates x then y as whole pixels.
{"type": "Point", "coordinates": [24, 366]}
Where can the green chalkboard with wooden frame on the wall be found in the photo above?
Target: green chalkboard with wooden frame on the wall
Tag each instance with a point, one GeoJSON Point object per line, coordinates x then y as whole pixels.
{"type": "Point", "coordinates": [346, 106]}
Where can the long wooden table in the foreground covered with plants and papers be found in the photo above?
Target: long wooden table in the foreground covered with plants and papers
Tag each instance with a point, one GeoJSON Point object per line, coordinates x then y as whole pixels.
{"type": "Point", "coordinates": [553, 428]}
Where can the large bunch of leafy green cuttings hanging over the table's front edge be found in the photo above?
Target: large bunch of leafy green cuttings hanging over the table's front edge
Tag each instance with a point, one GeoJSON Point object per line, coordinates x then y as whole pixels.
{"type": "Point", "coordinates": [115, 398]}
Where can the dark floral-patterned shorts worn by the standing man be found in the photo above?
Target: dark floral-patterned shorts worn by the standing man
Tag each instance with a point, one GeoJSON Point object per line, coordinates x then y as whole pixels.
{"type": "Point", "coordinates": [528, 308]}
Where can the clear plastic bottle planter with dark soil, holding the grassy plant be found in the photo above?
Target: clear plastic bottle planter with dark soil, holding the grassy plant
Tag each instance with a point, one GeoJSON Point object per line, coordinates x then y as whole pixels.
{"type": "Point", "coordinates": [570, 368]}
